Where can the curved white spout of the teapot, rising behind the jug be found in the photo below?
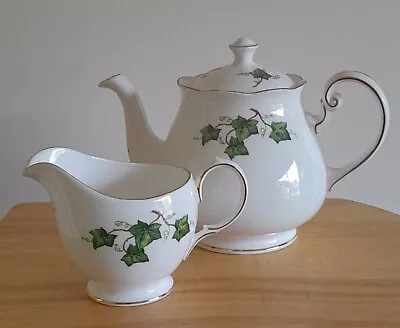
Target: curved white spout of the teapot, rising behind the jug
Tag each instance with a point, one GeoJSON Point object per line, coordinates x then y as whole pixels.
{"type": "Point", "coordinates": [143, 145]}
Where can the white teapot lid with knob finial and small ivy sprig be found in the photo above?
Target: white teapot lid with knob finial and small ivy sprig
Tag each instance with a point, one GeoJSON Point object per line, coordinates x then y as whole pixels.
{"type": "Point", "coordinates": [243, 75]}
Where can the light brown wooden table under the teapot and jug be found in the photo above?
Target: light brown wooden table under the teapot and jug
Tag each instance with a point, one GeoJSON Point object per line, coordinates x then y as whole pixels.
{"type": "Point", "coordinates": [343, 271]}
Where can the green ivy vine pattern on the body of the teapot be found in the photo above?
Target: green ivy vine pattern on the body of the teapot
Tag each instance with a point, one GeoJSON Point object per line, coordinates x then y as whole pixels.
{"type": "Point", "coordinates": [234, 132]}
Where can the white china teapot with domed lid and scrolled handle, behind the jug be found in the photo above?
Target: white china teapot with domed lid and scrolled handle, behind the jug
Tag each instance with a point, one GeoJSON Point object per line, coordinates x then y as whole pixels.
{"type": "Point", "coordinates": [253, 116]}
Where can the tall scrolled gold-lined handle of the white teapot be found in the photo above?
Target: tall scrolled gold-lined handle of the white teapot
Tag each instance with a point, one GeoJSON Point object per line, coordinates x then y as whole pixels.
{"type": "Point", "coordinates": [333, 100]}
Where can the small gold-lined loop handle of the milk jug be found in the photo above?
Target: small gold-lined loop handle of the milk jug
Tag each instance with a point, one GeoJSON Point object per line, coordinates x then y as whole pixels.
{"type": "Point", "coordinates": [215, 228]}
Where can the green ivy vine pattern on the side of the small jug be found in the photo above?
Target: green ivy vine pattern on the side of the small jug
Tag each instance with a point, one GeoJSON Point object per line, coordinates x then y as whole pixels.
{"type": "Point", "coordinates": [142, 233]}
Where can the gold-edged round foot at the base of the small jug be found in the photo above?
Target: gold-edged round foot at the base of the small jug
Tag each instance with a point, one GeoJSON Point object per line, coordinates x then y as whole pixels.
{"type": "Point", "coordinates": [129, 295]}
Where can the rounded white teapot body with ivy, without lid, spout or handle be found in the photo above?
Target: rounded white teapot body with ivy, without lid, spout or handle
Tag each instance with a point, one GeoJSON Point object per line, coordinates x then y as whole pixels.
{"type": "Point", "coordinates": [268, 136]}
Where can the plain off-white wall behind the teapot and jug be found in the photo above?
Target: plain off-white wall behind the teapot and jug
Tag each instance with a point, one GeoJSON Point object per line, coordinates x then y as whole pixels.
{"type": "Point", "coordinates": [53, 54]}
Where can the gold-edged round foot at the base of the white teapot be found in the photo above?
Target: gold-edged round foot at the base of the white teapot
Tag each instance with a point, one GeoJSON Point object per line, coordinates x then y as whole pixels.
{"type": "Point", "coordinates": [243, 245]}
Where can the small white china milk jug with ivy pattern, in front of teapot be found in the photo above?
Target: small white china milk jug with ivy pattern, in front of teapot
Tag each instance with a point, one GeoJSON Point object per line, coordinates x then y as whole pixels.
{"type": "Point", "coordinates": [127, 225]}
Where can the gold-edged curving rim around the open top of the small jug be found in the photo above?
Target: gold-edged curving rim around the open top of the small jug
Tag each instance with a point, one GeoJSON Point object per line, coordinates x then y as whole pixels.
{"type": "Point", "coordinates": [118, 162]}
